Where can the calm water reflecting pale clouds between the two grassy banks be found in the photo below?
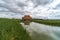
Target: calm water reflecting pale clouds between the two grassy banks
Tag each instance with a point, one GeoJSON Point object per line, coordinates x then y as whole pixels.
{"type": "Point", "coordinates": [42, 32]}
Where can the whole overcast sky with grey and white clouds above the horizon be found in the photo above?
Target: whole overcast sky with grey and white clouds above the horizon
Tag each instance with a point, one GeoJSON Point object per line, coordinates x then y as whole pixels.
{"type": "Point", "coordinates": [41, 9]}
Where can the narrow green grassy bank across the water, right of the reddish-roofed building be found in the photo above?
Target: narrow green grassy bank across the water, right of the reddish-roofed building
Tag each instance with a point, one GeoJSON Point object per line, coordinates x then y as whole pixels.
{"type": "Point", "coordinates": [49, 22]}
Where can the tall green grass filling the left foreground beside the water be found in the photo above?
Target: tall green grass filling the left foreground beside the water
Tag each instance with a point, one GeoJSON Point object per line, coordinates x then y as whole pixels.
{"type": "Point", "coordinates": [10, 29]}
